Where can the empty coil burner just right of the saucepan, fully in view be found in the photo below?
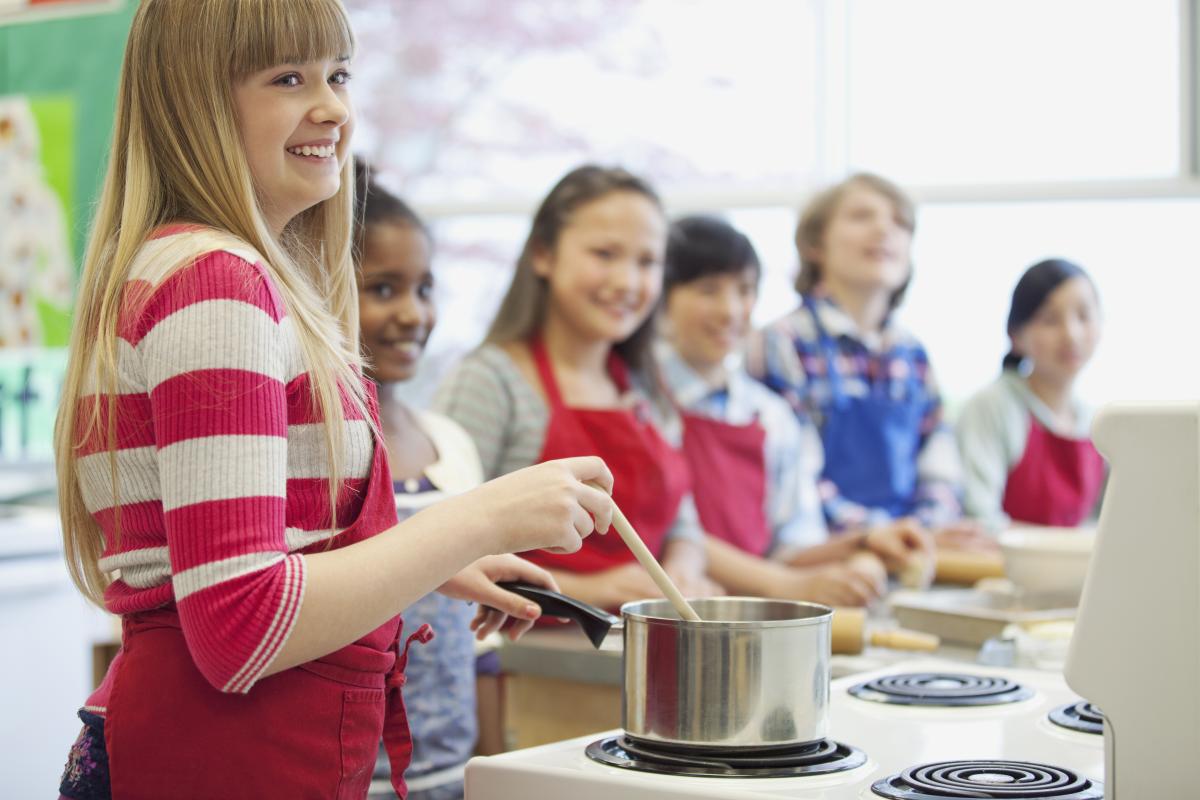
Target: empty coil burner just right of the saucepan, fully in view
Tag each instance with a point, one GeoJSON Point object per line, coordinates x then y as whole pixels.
{"type": "Point", "coordinates": [941, 689]}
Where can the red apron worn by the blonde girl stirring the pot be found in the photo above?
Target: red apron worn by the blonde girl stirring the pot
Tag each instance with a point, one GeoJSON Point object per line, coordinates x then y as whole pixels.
{"type": "Point", "coordinates": [309, 732]}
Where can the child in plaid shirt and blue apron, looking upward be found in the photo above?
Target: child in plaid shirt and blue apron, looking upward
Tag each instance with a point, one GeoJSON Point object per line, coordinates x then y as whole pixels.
{"type": "Point", "coordinates": [841, 358]}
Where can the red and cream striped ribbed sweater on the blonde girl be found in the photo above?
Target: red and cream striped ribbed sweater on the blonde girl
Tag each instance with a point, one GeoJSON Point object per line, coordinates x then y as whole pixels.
{"type": "Point", "coordinates": [223, 473]}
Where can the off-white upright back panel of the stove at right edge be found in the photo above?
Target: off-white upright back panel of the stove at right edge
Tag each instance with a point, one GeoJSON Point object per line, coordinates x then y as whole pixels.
{"type": "Point", "coordinates": [1136, 652]}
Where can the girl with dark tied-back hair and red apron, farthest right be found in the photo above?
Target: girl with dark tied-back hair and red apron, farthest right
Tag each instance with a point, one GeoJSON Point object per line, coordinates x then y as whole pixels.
{"type": "Point", "coordinates": [1024, 440]}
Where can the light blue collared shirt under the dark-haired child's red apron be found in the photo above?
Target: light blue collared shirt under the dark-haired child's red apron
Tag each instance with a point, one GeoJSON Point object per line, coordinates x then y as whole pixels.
{"type": "Point", "coordinates": [793, 453]}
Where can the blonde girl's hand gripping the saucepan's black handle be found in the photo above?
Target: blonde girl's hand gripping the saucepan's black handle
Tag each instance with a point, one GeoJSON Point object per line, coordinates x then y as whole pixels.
{"type": "Point", "coordinates": [499, 609]}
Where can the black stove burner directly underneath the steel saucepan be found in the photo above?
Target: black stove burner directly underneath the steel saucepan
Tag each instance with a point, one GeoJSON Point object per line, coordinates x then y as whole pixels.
{"type": "Point", "coordinates": [814, 759]}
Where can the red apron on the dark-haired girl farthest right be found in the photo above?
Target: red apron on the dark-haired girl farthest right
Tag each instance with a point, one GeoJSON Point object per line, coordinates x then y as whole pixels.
{"type": "Point", "coordinates": [1058, 480]}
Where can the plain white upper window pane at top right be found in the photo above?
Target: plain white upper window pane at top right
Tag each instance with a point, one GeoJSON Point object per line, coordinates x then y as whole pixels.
{"type": "Point", "coordinates": [944, 92]}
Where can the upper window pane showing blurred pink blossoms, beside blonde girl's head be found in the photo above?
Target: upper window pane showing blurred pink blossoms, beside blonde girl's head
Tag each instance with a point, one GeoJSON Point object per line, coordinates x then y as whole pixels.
{"type": "Point", "coordinates": [475, 101]}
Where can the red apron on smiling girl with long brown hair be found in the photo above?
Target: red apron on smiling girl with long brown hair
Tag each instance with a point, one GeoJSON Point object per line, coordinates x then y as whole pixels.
{"type": "Point", "coordinates": [650, 476]}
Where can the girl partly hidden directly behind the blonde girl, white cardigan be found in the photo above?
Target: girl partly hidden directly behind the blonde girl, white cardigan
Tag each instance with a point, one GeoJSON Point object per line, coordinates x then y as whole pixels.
{"type": "Point", "coordinates": [433, 459]}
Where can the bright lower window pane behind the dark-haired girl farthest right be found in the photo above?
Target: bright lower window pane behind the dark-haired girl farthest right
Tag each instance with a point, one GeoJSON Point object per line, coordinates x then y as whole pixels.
{"type": "Point", "coordinates": [1143, 256]}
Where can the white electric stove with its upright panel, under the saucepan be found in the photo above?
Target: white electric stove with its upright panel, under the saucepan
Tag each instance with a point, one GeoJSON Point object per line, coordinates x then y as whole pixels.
{"type": "Point", "coordinates": [1136, 654]}
